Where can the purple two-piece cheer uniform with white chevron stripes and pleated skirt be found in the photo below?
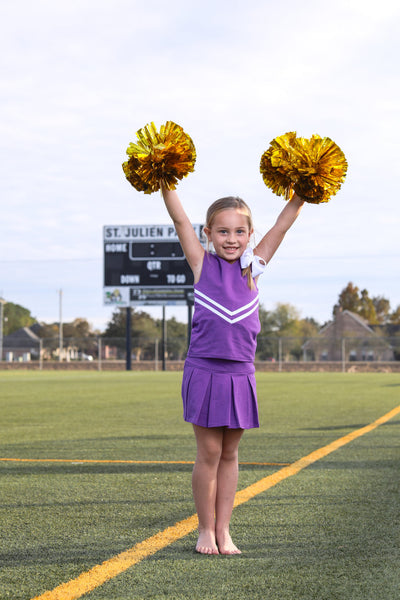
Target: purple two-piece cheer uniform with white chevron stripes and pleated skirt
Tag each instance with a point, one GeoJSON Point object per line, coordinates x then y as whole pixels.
{"type": "Point", "coordinates": [219, 387]}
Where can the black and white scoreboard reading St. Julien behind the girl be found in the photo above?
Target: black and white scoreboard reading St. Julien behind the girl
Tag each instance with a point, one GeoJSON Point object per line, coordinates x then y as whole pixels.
{"type": "Point", "coordinates": [144, 265]}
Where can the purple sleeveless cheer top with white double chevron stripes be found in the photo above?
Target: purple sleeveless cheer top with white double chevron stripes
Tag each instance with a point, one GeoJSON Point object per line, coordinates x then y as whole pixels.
{"type": "Point", "coordinates": [225, 320]}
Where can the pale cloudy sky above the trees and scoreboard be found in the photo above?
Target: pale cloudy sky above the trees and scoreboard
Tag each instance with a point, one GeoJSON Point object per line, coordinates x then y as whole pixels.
{"type": "Point", "coordinates": [80, 77]}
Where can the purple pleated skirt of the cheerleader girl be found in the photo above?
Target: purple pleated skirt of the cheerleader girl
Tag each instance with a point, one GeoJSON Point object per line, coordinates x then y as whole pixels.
{"type": "Point", "coordinates": [219, 393]}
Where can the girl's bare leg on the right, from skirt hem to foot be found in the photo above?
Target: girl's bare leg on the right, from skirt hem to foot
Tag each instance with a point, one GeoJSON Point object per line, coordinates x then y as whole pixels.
{"type": "Point", "coordinates": [227, 478]}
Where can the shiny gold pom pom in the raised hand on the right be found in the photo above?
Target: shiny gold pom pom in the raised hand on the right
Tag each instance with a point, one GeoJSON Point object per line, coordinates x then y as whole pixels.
{"type": "Point", "coordinates": [314, 168]}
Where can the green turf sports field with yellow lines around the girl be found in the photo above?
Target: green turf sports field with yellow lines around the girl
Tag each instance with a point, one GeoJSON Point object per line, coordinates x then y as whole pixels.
{"type": "Point", "coordinates": [105, 464]}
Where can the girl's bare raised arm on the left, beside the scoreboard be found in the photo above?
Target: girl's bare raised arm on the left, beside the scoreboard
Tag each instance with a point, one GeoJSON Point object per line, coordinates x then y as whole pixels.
{"type": "Point", "coordinates": [193, 250]}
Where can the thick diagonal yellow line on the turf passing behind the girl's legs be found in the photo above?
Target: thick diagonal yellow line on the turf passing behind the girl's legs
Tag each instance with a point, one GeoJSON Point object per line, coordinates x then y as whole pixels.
{"type": "Point", "coordinates": [88, 581]}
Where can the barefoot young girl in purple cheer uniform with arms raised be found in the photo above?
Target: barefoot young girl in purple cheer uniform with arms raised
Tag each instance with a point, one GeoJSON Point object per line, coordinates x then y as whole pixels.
{"type": "Point", "coordinates": [218, 388]}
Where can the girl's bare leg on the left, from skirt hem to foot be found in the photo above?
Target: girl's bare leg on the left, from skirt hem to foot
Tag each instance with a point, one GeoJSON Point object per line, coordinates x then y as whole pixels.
{"type": "Point", "coordinates": [204, 484]}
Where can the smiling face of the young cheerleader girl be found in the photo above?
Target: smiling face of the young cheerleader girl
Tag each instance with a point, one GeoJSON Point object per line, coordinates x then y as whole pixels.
{"type": "Point", "coordinates": [229, 234]}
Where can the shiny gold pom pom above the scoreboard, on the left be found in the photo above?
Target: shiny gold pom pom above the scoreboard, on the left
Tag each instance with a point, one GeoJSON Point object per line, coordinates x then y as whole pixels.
{"type": "Point", "coordinates": [167, 156]}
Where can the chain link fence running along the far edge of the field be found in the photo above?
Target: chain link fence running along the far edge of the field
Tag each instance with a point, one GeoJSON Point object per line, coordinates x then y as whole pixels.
{"type": "Point", "coordinates": [154, 353]}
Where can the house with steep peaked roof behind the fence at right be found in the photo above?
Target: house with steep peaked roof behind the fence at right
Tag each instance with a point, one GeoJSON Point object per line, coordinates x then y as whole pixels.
{"type": "Point", "coordinates": [350, 334]}
